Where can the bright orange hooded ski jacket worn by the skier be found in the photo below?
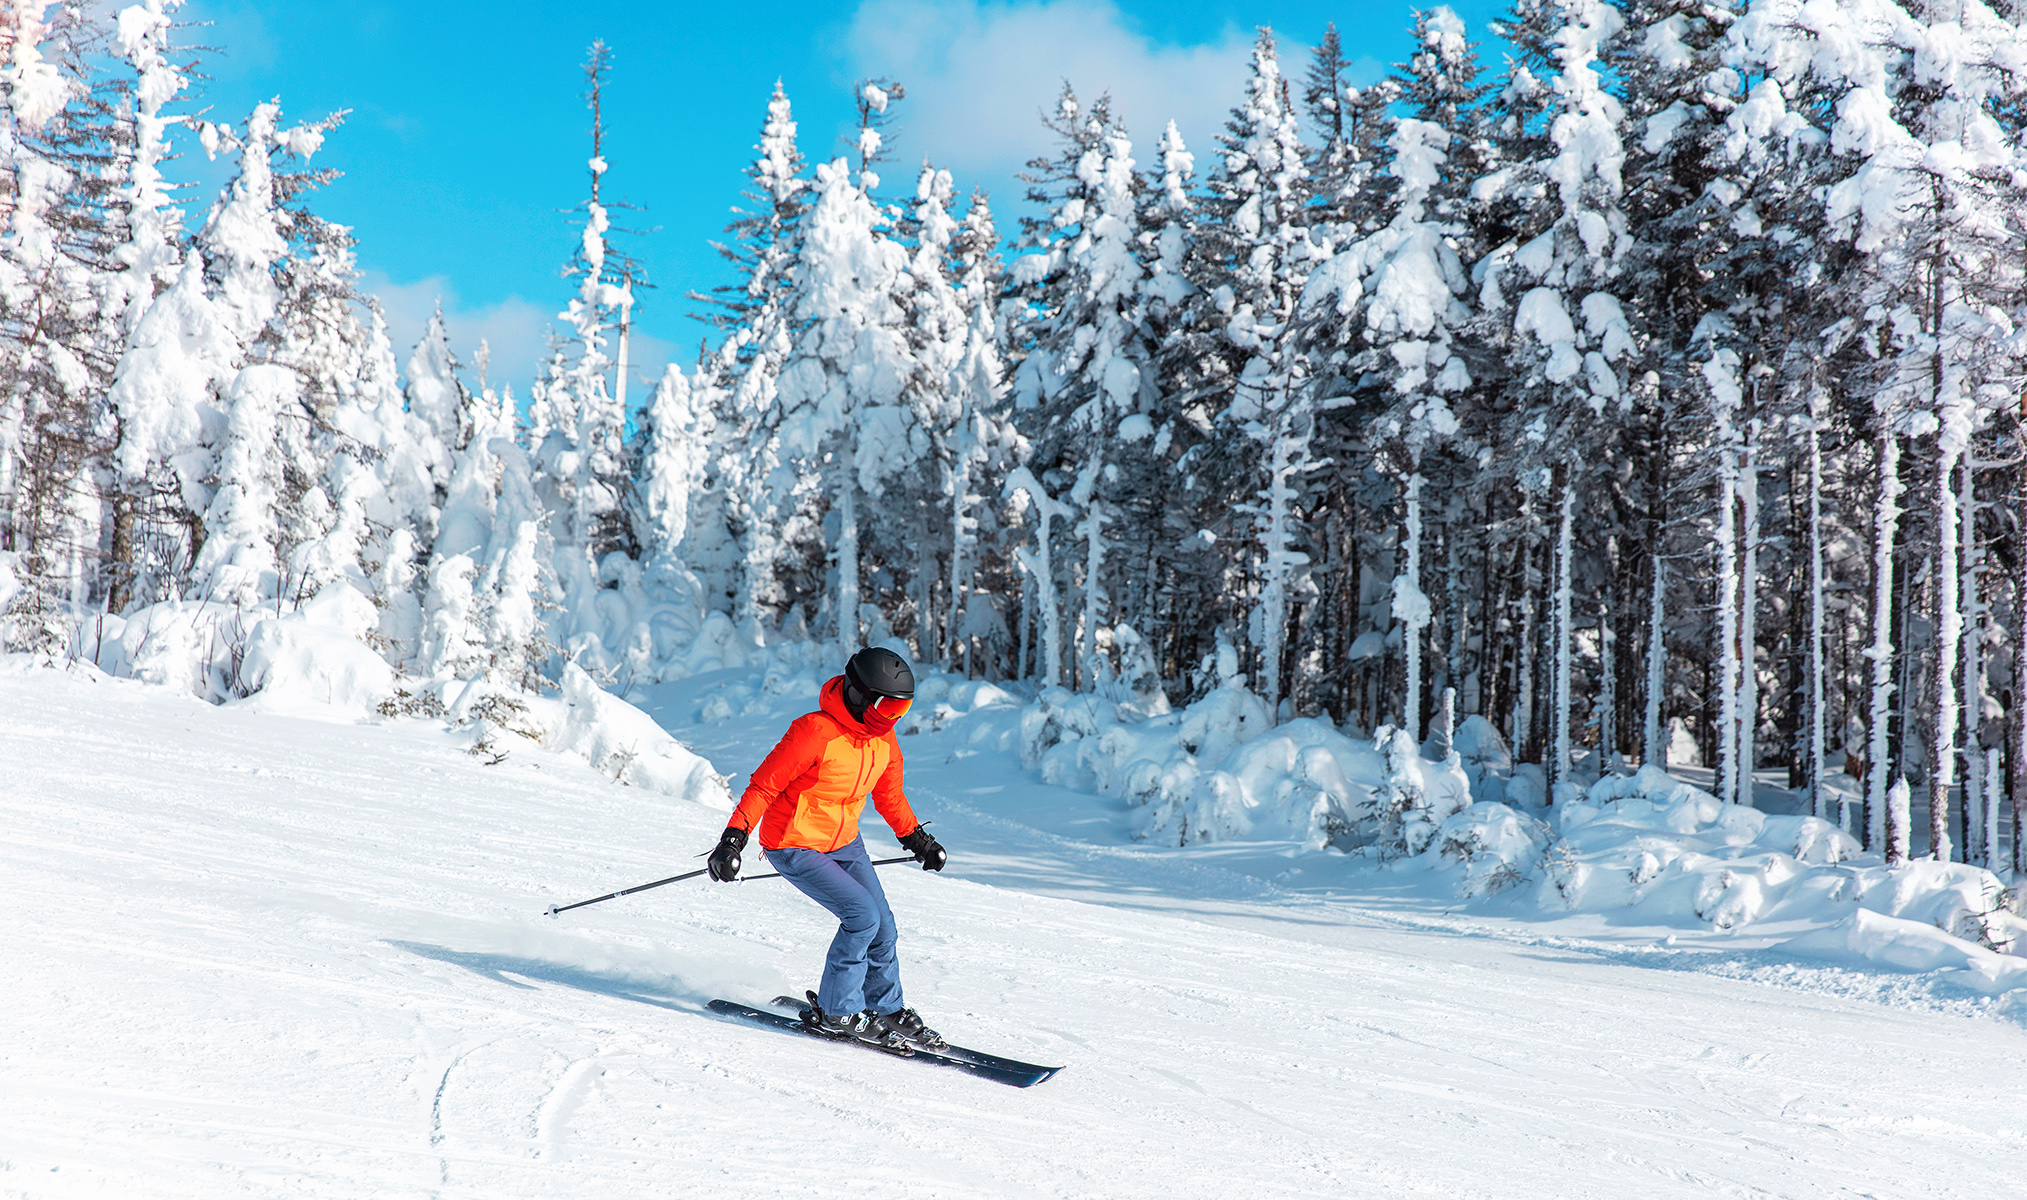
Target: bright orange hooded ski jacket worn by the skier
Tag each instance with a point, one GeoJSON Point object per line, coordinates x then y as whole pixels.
{"type": "Point", "coordinates": [812, 787]}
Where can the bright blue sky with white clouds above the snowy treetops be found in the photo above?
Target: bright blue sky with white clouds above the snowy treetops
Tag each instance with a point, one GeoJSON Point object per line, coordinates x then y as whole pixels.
{"type": "Point", "coordinates": [469, 133]}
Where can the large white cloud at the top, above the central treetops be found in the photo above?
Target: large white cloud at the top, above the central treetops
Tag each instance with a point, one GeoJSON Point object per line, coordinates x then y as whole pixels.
{"type": "Point", "coordinates": [980, 76]}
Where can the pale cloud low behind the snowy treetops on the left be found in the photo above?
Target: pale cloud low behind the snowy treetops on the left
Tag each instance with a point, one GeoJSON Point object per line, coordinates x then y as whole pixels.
{"type": "Point", "coordinates": [514, 329]}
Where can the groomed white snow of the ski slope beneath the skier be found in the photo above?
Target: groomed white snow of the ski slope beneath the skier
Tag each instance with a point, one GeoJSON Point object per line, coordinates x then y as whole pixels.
{"type": "Point", "coordinates": [256, 954]}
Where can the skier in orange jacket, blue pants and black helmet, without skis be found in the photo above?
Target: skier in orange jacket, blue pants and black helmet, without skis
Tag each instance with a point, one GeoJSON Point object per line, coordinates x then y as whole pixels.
{"type": "Point", "coordinates": [806, 802]}
